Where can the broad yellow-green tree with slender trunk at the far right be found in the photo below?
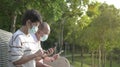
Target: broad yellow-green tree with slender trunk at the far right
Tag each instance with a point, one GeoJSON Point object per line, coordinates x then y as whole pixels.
{"type": "Point", "coordinates": [102, 31]}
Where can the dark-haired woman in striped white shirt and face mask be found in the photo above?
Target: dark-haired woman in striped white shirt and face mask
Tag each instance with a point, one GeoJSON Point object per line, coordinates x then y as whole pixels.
{"type": "Point", "coordinates": [21, 45]}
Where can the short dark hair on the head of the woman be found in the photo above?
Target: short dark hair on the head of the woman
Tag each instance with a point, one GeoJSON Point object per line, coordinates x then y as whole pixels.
{"type": "Point", "coordinates": [31, 15]}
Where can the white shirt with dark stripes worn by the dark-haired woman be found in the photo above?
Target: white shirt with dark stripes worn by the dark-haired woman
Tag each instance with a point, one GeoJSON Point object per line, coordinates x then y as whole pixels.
{"type": "Point", "coordinates": [21, 45]}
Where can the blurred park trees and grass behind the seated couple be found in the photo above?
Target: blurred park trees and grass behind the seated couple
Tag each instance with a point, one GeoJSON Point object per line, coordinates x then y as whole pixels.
{"type": "Point", "coordinates": [87, 30]}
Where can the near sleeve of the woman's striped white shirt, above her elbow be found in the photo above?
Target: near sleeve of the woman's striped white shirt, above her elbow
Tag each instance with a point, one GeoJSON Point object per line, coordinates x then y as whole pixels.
{"type": "Point", "coordinates": [16, 49]}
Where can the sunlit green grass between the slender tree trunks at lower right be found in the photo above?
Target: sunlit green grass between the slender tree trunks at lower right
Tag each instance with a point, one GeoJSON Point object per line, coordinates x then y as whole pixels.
{"type": "Point", "coordinates": [87, 62]}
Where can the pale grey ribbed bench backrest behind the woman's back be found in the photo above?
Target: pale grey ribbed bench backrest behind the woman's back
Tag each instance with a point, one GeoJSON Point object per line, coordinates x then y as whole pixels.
{"type": "Point", "coordinates": [4, 39]}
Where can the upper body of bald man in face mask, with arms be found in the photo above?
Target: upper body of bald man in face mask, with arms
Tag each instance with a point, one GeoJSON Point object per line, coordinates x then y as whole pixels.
{"type": "Point", "coordinates": [42, 35]}
